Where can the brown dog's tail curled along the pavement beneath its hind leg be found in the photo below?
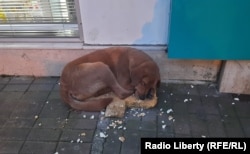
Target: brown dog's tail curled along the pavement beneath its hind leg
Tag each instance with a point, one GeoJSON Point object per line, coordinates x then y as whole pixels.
{"type": "Point", "coordinates": [93, 104]}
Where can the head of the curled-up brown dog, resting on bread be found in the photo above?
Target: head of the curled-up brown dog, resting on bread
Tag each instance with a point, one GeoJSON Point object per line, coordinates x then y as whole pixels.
{"type": "Point", "coordinates": [146, 79]}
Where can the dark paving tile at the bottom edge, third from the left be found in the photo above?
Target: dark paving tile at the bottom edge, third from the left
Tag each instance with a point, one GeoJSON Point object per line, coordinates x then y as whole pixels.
{"type": "Point", "coordinates": [73, 148]}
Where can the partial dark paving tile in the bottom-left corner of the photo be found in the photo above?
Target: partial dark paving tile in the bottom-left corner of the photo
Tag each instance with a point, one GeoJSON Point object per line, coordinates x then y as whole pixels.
{"type": "Point", "coordinates": [9, 147]}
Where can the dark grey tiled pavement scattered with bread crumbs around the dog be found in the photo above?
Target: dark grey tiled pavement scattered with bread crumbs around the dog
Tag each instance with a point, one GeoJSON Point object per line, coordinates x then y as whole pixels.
{"type": "Point", "coordinates": [33, 119]}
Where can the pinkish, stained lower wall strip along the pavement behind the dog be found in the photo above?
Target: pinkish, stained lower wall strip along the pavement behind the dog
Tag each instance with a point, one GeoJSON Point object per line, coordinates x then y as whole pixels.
{"type": "Point", "coordinates": [50, 62]}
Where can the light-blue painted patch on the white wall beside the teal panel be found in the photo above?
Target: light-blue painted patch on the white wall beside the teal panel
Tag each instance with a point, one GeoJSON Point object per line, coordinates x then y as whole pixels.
{"type": "Point", "coordinates": [152, 31]}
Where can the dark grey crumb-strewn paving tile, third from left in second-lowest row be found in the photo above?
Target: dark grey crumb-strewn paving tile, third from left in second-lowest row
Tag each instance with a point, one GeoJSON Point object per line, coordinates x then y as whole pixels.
{"type": "Point", "coordinates": [70, 135]}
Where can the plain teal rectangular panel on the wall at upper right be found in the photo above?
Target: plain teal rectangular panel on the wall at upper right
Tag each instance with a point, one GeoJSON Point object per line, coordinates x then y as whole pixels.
{"type": "Point", "coordinates": [209, 29]}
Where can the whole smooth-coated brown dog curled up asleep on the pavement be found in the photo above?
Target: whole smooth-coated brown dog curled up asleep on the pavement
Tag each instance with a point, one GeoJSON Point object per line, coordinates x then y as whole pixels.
{"type": "Point", "coordinates": [122, 70]}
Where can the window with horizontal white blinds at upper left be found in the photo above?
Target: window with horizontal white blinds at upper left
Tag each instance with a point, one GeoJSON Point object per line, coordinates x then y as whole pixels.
{"type": "Point", "coordinates": [38, 19]}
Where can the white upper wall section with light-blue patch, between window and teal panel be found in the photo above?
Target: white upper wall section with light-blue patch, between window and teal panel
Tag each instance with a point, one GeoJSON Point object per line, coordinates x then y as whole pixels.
{"type": "Point", "coordinates": [133, 22]}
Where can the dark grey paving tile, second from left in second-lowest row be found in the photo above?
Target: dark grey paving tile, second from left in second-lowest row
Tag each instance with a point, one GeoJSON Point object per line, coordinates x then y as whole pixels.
{"type": "Point", "coordinates": [42, 134]}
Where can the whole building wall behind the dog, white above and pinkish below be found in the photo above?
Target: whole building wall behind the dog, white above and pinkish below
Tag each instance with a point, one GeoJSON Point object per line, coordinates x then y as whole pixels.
{"type": "Point", "coordinates": [124, 22]}
